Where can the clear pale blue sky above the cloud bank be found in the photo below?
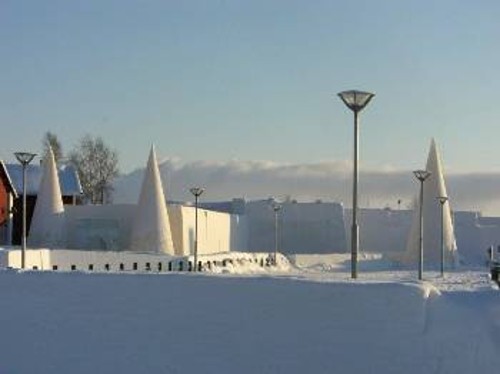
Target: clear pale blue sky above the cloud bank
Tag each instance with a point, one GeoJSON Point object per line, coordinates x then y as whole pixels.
{"type": "Point", "coordinates": [254, 80]}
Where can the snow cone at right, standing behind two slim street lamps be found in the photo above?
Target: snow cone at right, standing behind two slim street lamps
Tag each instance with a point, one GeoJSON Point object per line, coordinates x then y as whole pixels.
{"type": "Point", "coordinates": [434, 187]}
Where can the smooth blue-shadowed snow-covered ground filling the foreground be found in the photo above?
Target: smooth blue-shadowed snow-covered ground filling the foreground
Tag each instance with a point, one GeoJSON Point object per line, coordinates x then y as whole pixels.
{"type": "Point", "coordinates": [310, 318]}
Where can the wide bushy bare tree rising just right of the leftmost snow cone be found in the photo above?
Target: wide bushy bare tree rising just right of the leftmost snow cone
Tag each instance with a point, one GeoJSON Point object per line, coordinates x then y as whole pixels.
{"type": "Point", "coordinates": [97, 167]}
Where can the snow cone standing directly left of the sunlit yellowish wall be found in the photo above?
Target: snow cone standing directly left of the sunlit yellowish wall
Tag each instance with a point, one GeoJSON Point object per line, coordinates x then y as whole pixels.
{"type": "Point", "coordinates": [151, 226]}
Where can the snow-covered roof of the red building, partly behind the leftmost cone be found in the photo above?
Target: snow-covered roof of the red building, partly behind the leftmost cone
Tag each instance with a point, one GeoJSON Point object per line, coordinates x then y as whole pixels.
{"type": "Point", "coordinates": [68, 178]}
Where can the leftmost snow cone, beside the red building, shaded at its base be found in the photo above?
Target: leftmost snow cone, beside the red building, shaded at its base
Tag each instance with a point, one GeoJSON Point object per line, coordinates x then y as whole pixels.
{"type": "Point", "coordinates": [48, 217]}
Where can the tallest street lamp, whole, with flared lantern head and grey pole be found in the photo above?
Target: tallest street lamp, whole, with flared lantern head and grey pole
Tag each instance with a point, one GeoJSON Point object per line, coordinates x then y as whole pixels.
{"type": "Point", "coordinates": [356, 101]}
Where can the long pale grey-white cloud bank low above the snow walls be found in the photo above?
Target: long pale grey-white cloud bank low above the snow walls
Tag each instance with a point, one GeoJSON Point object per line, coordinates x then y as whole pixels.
{"type": "Point", "coordinates": [322, 180]}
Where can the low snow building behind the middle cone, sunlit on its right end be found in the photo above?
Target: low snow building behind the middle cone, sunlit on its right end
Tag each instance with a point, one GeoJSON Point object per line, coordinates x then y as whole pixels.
{"type": "Point", "coordinates": [108, 227]}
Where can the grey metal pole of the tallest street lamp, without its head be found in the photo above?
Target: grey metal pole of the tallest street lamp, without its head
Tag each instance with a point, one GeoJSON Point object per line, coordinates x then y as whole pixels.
{"type": "Point", "coordinates": [355, 227]}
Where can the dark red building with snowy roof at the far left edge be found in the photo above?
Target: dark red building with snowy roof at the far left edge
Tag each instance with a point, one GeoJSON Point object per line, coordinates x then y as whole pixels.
{"type": "Point", "coordinates": [11, 196]}
